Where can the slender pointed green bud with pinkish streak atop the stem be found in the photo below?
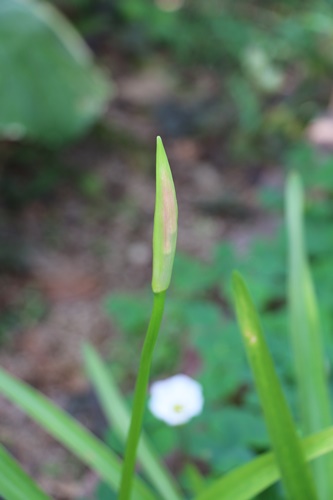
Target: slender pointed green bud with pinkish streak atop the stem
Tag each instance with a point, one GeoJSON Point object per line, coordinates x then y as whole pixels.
{"type": "Point", "coordinates": [165, 222]}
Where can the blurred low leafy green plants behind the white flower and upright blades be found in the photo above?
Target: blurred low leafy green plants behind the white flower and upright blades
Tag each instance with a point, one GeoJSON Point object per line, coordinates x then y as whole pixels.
{"type": "Point", "coordinates": [200, 308]}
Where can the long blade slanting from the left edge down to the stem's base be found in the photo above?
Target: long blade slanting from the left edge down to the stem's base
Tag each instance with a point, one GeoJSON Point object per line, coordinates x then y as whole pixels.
{"type": "Point", "coordinates": [69, 432]}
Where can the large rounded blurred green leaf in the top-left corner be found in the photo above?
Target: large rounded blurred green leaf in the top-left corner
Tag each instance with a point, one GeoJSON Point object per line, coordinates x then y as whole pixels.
{"type": "Point", "coordinates": [50, 90]}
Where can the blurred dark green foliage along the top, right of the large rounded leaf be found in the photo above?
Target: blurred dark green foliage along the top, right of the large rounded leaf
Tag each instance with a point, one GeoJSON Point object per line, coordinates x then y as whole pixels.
{"type": "Point", "coordinates": [272, 63]}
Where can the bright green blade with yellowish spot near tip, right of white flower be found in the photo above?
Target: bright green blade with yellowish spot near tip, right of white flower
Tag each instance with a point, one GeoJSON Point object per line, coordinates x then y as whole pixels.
{"type": "Point", "coordinates": [295, 473]}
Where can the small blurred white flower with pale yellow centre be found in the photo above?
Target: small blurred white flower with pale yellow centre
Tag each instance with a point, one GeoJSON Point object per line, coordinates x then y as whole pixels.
{"type": "Point", "coordinates": [176, 399]}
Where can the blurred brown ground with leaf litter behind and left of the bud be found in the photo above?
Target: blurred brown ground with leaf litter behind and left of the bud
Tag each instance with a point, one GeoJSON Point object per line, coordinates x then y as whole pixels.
{"type": "Point", "coordinates": [93, 237]}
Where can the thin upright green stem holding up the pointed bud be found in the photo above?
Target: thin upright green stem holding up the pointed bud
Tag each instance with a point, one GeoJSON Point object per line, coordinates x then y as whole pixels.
{"type": "Point", "coordinates": [140, 396]}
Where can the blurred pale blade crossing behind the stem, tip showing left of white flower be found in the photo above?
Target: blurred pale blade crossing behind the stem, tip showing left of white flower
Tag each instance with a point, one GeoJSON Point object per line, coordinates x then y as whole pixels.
{"type": "Point", "coordinates": [118, 416]}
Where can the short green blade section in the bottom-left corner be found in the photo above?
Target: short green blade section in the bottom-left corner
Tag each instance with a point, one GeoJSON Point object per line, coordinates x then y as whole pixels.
{"type": "Point", "coordinates": [15, 484]}
